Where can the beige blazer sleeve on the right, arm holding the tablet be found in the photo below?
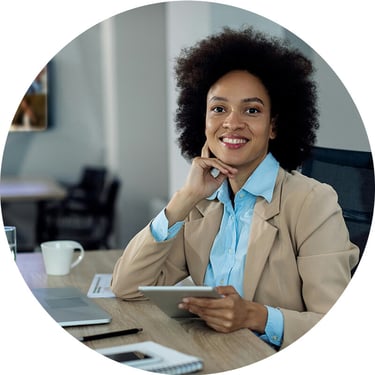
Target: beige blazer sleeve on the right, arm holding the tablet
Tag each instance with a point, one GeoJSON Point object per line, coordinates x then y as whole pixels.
{"type": "Point", "coordinates": [325, 257]}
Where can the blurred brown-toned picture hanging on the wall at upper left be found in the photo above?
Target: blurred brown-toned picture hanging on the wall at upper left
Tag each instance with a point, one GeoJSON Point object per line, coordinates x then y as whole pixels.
{"type": "Point", "coordinates": [31, 114]}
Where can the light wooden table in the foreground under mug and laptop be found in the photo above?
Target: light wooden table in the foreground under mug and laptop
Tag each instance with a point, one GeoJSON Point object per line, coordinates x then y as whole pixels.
{"type": "Point", "coordinates": [220, 351]}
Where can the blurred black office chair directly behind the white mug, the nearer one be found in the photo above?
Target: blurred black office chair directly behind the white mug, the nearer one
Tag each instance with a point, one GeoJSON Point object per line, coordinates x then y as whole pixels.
{"type": "Point", "coordinates": [91, 225]}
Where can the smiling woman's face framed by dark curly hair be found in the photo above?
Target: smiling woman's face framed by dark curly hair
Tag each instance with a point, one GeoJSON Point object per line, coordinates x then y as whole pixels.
{"type": "Point", "coordinates": [238, 120]}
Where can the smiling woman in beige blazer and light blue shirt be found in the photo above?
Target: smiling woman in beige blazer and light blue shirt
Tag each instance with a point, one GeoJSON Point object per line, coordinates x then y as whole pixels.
{"type": "Point", "coordinates": [272, 241]}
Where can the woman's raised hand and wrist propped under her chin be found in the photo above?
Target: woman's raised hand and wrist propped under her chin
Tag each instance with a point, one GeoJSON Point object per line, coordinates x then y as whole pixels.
{"type": "Point", "coordinates": [200, 184]}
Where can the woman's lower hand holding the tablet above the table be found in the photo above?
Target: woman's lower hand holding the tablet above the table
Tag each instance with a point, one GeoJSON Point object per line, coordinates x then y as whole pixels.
{"type": "Point", "coordinates": [229, 313]}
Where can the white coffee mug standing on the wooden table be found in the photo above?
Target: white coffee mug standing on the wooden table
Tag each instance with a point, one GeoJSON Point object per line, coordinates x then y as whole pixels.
{"type": "Point", "coordinates": [58, 256]}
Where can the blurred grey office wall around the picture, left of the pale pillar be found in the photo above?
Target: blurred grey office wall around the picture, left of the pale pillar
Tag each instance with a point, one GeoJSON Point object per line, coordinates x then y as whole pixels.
{"type": "Point", "coordinates": [78, 132]}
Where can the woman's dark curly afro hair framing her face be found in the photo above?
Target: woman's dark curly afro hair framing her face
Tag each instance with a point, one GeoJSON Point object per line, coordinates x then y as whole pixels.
{"type": "Point", "coordinates": [284, 71]}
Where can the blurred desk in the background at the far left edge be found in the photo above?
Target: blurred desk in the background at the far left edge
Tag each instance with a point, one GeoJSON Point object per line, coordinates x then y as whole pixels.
{"type": "Point", "coordinates": [39, 191]}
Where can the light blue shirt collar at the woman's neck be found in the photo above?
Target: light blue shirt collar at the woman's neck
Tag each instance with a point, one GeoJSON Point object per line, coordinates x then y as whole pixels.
{"type": "Point", "coordinates": [260, 183]}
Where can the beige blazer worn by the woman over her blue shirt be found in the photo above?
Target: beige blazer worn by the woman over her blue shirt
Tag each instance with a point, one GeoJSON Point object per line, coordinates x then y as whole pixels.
{"type": "Point", "coordinates": [299, 255]}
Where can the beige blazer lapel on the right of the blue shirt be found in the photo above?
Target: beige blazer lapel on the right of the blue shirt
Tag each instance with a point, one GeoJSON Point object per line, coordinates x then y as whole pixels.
{"type": "Point", "coordinates": [262, 237]}
